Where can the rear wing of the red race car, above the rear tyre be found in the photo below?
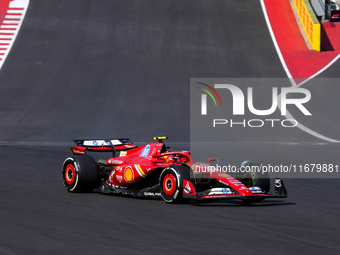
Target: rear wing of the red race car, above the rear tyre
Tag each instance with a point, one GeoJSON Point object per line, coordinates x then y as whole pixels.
{"type": "Point", "coordinates": [102, 145]}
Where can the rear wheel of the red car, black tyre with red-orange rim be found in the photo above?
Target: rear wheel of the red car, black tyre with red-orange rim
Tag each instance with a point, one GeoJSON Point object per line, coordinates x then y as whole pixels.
{"type": "Point", "coordinates": [80, 174]}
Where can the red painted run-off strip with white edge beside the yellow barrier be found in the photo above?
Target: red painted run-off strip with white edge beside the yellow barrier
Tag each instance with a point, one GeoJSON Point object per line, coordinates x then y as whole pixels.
{"type": "Point", "coordinates": [299, 62]}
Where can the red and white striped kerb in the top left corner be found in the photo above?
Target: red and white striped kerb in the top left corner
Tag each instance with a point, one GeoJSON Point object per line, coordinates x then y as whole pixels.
{"type": "Point", "coordinates": [12, 13]}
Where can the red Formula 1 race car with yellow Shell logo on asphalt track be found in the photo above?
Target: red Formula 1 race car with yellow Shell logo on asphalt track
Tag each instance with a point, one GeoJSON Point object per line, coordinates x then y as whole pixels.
{"type": "Point", "coordinates": [153, 170]}
